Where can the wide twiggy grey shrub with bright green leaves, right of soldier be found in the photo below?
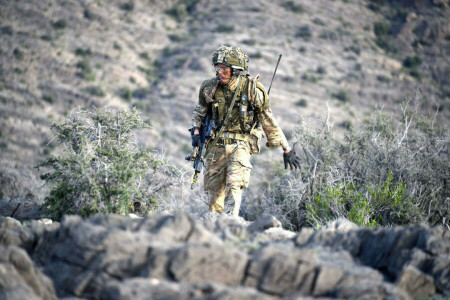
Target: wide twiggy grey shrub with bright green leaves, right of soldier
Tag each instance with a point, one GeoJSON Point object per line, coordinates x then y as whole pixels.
{"type": "Point", "coordinates": [390, 170]}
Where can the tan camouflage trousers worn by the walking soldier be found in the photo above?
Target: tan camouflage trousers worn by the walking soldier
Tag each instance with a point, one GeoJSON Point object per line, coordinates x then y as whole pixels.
{"type": "Point", "coordinates": [227, 173]}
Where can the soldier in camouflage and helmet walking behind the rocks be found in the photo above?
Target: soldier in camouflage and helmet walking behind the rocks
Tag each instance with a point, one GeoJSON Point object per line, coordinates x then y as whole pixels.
{"type": "Point", "coordinates": [238, 133]}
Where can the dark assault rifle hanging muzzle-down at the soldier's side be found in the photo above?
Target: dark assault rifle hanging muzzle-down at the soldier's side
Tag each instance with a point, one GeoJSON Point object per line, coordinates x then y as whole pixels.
{"type": "Point", "coordinates": [206, 132]}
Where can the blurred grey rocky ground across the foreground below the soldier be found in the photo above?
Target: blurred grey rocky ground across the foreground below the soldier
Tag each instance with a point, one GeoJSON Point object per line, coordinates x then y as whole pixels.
{"type": "Point", "coordinates": [219, 257]}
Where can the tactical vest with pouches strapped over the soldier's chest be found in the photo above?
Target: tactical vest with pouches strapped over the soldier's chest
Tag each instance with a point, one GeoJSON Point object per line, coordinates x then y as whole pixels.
{"type": "Point", "coordinates": [243, 116]}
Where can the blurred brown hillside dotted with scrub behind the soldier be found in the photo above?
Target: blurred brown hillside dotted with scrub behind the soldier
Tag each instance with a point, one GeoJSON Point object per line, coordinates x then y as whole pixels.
{"type": "Point", "coordinates": [353, 55]}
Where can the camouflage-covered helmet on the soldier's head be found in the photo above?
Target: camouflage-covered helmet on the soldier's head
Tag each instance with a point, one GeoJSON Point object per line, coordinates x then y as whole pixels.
{"type": "Point", "coordinates": [231, 56]}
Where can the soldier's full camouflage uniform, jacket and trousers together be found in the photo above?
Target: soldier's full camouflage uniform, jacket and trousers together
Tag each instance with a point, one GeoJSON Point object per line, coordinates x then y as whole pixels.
{"type": "Point", "coordinates": [228, 164]}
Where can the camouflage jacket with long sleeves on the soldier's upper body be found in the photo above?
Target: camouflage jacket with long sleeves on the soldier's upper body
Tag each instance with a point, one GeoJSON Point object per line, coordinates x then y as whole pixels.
{"type": "Point", "coordinates": [212, 94]}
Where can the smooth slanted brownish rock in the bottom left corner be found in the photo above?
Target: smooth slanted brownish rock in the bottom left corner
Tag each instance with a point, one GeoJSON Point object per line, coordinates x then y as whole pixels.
{"type": "Point", "coordinates": [19, 279]}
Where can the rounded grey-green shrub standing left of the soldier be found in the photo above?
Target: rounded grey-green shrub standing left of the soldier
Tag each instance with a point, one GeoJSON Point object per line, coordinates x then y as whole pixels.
{"type": "Point", "coordinates": [101, 168]}
